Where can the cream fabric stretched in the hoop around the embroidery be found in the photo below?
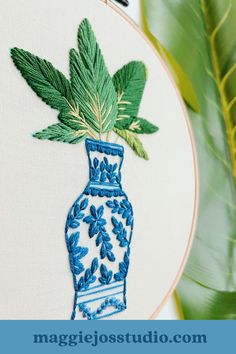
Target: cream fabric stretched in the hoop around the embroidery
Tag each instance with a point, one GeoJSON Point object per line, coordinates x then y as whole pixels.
{"type": "Point", "coordinates": [40, 180]}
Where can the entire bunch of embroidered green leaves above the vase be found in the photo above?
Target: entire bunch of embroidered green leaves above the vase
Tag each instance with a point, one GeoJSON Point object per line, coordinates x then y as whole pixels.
{"type": "Point", "coordinates": [91, 103]}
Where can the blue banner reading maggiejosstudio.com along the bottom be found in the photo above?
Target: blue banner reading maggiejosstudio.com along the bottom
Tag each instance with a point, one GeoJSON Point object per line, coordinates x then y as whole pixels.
{"type": "Point", "coordinates": [117, 336]}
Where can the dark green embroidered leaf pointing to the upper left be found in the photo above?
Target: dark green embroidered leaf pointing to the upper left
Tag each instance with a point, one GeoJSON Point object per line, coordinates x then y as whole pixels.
{"type": "Point", "coordinates": [46, 81]}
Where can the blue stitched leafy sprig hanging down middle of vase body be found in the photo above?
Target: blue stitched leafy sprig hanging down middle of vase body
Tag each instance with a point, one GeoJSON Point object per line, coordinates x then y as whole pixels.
{"type": "Point", "coordinates": [97, 227]}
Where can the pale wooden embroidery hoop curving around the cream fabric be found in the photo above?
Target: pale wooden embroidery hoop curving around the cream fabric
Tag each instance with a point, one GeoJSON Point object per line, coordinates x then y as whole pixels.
{"type": "Point", "coordinates": [157, 311]}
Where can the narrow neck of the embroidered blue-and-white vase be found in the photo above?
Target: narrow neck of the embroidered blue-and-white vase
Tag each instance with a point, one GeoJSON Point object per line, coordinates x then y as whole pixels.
{"type": "Point", "coordinates": [105, 161]}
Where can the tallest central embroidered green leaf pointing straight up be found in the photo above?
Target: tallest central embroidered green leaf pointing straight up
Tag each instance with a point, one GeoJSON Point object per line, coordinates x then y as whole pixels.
{"type": "Point", "coordinates": [92, 83]}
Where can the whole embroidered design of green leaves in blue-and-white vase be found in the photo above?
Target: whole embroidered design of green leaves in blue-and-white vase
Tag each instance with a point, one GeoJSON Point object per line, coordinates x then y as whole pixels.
{"type": "Point", "coordinates": [99, 225]}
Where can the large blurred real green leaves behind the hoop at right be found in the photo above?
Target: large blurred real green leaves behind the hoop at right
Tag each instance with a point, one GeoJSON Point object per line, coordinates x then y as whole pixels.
{"type": "Point", "coordinates": [199, 35]}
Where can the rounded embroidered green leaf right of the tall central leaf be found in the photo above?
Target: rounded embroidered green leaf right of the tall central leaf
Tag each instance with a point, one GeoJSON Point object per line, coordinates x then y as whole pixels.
{"type": "Point", "coordinates": [129, 83]}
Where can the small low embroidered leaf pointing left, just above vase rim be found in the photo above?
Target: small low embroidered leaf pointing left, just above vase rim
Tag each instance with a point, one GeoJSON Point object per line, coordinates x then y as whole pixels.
{"type": "Point", "coordinates": [61, 132]}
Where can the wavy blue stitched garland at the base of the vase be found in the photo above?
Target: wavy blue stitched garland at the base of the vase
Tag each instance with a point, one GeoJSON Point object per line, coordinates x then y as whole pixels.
{"type": "Point", "coordinates": [109, 302]}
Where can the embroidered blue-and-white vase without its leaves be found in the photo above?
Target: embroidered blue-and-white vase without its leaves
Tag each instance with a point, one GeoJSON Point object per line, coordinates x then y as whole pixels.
{"type": "Point", "coordinates": [98, 233]}
